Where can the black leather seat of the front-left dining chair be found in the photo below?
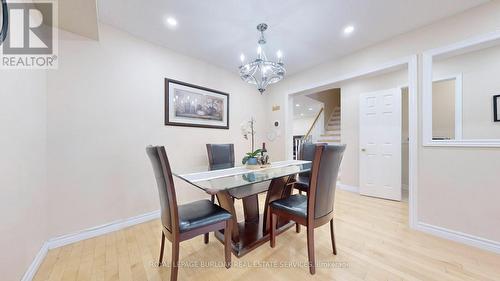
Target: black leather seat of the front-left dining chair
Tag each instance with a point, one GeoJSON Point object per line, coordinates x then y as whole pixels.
{"type": "Point", "coordinates": [200, 213]}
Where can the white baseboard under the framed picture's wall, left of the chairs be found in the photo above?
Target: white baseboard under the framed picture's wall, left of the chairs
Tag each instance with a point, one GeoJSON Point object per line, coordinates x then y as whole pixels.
{"type": "Point", "coordinates": [100, 230]}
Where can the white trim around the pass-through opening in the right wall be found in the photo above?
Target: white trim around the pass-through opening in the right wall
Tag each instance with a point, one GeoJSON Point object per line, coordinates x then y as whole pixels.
{"type": "Point", "coordinates": [474, 43]}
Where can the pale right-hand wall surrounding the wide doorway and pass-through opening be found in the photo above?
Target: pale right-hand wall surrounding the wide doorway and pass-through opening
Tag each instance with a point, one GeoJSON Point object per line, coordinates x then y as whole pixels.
{"type": "Point", "coordinates": [449, 178]}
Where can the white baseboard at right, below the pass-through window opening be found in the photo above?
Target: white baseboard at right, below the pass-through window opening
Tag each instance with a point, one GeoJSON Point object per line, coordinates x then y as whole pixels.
{"type": "Point", "coordinates": [460, 237]}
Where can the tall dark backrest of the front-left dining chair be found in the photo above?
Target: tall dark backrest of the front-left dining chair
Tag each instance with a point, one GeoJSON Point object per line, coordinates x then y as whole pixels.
{"type": "Point", "coordinates": [166, 189]}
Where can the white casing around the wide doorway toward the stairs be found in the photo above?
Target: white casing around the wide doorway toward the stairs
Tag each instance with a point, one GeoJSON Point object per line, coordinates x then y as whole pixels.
{"type": "Point", "coordinates": [411, 63]}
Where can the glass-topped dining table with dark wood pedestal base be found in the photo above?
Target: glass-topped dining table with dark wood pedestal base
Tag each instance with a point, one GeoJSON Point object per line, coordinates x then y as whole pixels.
{"type": "Point", "coordinates": [230, 183]}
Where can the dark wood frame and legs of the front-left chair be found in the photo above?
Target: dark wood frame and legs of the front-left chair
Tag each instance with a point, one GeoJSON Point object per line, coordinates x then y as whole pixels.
{"type": "Point", "coordinates": [175, 236]}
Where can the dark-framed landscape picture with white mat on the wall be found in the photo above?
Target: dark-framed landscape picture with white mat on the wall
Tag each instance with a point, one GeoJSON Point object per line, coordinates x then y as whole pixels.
{"type": "Point", "coordinates": [194, 106]}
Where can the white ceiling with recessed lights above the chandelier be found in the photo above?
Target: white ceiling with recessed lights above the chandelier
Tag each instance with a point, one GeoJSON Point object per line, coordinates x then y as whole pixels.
{"type": "Point", "coordinates": [307, 32]}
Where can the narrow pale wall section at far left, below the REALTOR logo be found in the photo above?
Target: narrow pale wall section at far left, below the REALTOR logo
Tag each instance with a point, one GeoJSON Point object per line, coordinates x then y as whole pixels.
{"type": "Point", "coordinates": [23, 199]}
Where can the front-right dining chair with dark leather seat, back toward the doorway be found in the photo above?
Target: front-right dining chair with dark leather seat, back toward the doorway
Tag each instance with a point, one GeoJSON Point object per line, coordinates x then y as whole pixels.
{"type": "Point", "coordinates": [315, 209]}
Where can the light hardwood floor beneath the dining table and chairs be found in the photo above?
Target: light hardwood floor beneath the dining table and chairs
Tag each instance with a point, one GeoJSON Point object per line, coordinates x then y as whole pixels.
{"type": "Point", "coordinates": [373, 242]}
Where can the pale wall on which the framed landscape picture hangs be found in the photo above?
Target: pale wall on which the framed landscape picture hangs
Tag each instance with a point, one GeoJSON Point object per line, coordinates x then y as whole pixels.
{"type": "Point", "coordinates": [105, 105]}
